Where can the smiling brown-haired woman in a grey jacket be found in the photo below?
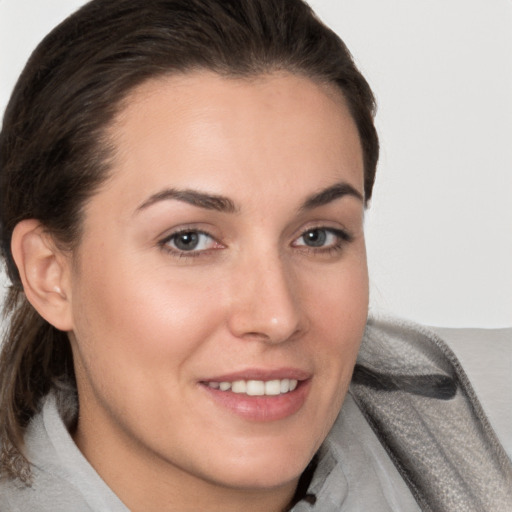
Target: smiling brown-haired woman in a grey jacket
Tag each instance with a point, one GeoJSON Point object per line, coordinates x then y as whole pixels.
{"type": "Point", "coordinates": [183, 191]}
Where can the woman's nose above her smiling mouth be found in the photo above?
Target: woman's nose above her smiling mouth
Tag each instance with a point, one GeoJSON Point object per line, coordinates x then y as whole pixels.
{"type": "Point", "coordinates": [264, 302]}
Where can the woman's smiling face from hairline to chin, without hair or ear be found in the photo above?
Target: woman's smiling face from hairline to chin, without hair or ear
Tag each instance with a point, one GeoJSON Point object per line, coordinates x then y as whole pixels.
{"type": "Point", "coordinates": [219, 293]}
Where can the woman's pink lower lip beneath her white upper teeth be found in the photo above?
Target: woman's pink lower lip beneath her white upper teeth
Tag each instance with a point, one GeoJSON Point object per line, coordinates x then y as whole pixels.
{"type": "Point", "coordinates": [261, 408]}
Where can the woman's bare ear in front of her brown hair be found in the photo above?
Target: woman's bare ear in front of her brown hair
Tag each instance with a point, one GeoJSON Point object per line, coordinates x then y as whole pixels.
{"type": "Point", "coordinates": [44, 272]}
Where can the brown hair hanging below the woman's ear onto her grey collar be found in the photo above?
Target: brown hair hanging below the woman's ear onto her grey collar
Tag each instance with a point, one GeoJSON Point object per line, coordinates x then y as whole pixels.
{"type": "Point", "coordinates": [34, 354]}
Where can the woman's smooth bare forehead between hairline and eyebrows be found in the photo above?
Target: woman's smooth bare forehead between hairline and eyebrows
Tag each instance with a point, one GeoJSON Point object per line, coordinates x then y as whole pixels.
{"type": "Point", "coordinates": [202, 130]}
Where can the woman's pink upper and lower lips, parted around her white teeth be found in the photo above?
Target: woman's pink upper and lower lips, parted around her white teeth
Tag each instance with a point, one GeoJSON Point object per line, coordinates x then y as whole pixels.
{"type": "Point", "coordinates": [260, 408]}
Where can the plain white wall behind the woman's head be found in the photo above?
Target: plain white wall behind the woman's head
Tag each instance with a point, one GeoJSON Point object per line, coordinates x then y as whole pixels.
{"type": "Point", "coordinates": [440, 227]}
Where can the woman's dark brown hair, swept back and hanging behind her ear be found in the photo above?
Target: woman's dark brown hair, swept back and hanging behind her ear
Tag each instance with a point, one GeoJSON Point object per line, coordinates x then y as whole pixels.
{"type": "Point", "coordinates": [54, 152]}
